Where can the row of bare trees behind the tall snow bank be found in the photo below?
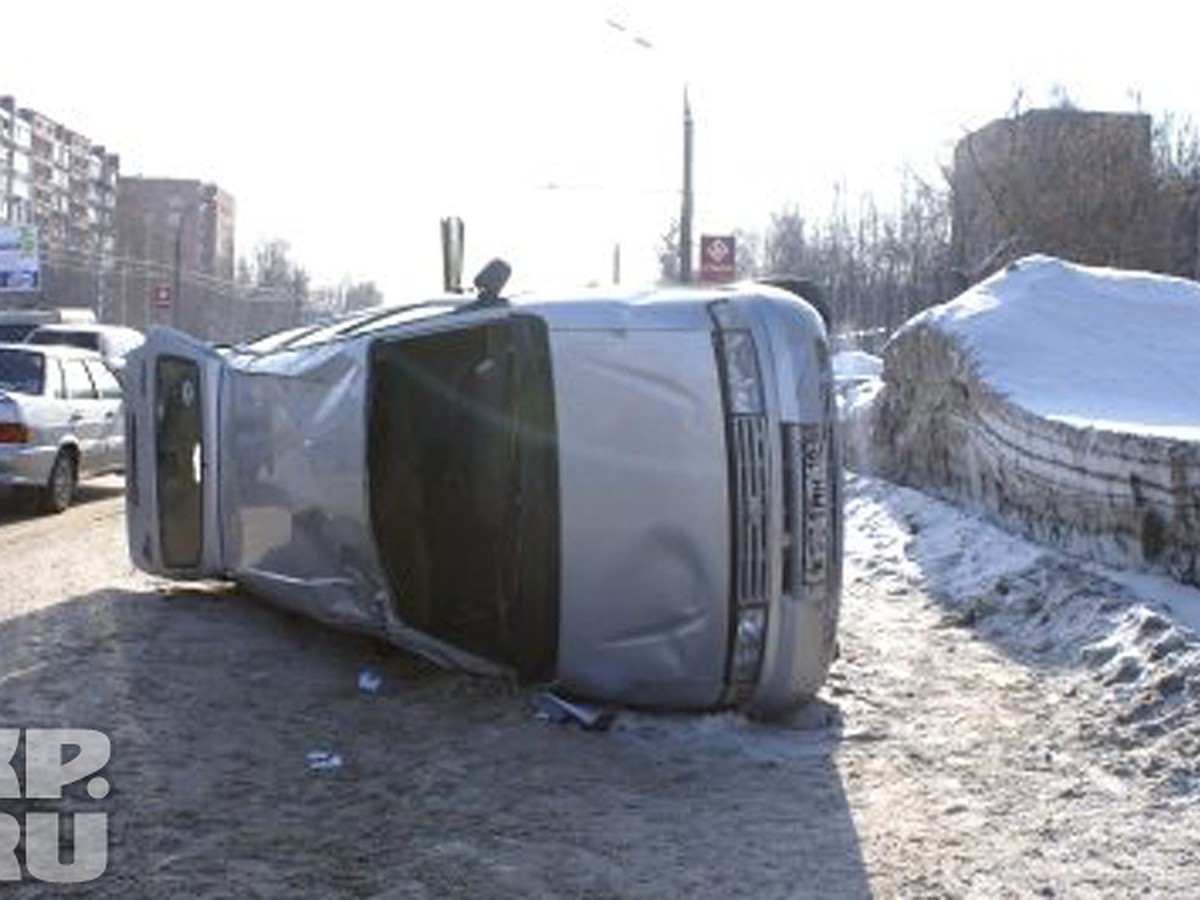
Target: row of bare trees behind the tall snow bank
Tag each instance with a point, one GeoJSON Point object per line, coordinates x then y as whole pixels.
{"type": "Point", "coordinates": [879, 267]}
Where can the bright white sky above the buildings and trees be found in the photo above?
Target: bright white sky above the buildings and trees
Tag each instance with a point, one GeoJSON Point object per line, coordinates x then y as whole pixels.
{"type": "Point", "coordinates": [349, 129]}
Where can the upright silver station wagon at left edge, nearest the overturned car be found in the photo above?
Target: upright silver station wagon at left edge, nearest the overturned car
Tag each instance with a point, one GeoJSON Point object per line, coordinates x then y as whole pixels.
{"type": "Point", "coordinates": [61, 421]}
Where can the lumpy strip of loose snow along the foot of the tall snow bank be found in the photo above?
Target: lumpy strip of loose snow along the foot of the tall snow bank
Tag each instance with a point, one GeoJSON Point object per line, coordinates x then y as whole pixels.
{"type": "Point", "coordinates": [1127, 638]}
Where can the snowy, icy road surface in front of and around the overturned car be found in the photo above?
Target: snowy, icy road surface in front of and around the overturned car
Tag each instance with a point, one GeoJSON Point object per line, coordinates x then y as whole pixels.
{"type": "Point", "coordinates": [1003, 723]}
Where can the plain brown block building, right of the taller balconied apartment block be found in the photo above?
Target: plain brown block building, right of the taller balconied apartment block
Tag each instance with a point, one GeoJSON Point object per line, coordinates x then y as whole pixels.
{"type": "Point", "coordinates": [176, 239]}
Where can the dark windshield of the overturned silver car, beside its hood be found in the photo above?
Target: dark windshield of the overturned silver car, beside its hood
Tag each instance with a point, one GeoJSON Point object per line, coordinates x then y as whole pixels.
{"type": "Point", "coordinates": [464, 488]}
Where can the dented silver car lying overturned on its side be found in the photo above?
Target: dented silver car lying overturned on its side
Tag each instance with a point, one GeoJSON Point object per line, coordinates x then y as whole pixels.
{"type": "Point", "coordinates": [637, 499]}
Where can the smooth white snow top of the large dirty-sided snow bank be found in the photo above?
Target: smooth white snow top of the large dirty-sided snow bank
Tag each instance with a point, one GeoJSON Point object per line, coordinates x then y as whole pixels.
{"type": "Point", "coordinates": [1096, 349]}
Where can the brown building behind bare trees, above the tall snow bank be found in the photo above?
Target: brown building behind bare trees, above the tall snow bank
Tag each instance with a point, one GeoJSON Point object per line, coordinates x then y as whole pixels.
{"type": "Point", "coordinates": [1072, 184]}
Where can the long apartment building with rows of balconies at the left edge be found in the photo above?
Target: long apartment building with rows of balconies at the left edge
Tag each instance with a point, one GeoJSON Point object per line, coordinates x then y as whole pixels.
{"type": "Point", "coordinates": [59, 181]}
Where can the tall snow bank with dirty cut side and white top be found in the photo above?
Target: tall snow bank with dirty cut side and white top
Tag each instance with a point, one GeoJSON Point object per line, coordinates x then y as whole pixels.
{"type": "Point", "coordinates": [1063, 400]}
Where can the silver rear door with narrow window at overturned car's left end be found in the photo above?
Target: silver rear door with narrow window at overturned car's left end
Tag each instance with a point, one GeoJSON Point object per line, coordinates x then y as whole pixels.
{"type": "Point", "coordinates": [172, 442]}
